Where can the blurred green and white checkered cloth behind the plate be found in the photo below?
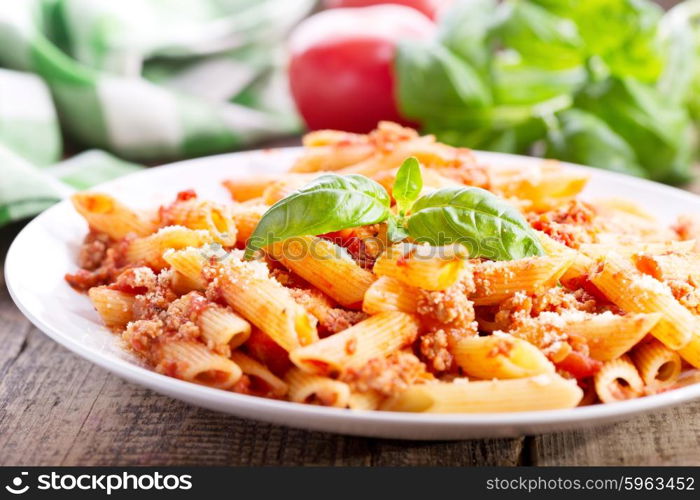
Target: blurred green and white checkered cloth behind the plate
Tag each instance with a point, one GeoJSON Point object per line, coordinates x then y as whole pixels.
{"type": "Point", "coordinates": [146, 80]}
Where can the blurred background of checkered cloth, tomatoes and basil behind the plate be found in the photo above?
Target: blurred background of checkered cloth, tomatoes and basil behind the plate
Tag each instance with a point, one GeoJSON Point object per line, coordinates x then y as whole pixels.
{"type": "Point", "coordinates": [94, 89]}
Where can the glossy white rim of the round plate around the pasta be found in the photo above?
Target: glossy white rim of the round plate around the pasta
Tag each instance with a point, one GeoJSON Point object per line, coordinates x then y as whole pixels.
{"type": "Point", "coordinates": [183, 390]}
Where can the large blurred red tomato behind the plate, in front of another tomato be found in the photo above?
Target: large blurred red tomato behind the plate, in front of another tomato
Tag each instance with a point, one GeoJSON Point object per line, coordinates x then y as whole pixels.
{"type": "Point", "coordinates": [341, 69]}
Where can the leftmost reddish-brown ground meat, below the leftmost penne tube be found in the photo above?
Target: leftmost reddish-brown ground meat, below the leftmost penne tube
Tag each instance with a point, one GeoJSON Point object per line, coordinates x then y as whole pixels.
{"type": "Point", "coordinates": [104, 258]}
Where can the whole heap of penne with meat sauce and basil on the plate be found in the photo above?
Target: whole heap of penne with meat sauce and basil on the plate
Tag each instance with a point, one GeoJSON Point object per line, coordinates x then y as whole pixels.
{"type": "Point", "coordinates": [391, 272]}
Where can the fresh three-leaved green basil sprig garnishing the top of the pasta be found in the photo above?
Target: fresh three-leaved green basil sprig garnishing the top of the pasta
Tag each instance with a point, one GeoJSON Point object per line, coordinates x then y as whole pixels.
{"type": "Point", "coordinates": [488, 226]}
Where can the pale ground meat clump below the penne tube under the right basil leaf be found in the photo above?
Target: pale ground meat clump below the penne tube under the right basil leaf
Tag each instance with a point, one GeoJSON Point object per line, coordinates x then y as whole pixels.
{"type": "Point", "coordinates": [449, 307]}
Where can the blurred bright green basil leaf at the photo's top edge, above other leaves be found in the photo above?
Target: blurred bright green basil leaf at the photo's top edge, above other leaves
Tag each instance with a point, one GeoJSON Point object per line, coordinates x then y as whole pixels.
{"type": "Point", "coordinates": [542, 38]}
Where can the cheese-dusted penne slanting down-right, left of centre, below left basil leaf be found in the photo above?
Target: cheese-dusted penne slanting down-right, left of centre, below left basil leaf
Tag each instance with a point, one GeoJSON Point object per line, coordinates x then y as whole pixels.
{"type": "Point", "coordinates": [251, 292]}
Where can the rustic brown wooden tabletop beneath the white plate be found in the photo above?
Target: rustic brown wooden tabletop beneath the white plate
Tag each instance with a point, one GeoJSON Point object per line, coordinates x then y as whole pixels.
{"type": "Point", "coordinates": [58, 409]}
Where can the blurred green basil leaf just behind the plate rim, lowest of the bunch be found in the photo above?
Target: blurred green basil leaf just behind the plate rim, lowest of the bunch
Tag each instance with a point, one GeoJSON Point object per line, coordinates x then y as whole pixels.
{"type": "Point", "coordinates": [586, 139]}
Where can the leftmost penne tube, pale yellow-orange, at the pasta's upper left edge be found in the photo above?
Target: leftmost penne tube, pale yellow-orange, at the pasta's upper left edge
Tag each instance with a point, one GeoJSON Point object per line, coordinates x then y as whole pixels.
{"type": "Point", "coordinates": [105, 214]}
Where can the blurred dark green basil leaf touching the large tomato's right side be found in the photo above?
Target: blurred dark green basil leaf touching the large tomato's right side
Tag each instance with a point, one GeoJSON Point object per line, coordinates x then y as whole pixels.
{"type": "Point", "coordinates": [432, 81]}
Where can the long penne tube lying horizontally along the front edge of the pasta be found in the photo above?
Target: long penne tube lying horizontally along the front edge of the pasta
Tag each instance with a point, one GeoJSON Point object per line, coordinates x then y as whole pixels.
{"type": "Point", "coordinates": [542, 392]}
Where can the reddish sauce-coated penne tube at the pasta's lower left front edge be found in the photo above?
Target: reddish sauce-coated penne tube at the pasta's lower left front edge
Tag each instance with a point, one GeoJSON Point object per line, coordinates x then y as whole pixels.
{"type": "Point", "coordinates": [193, 362]}
